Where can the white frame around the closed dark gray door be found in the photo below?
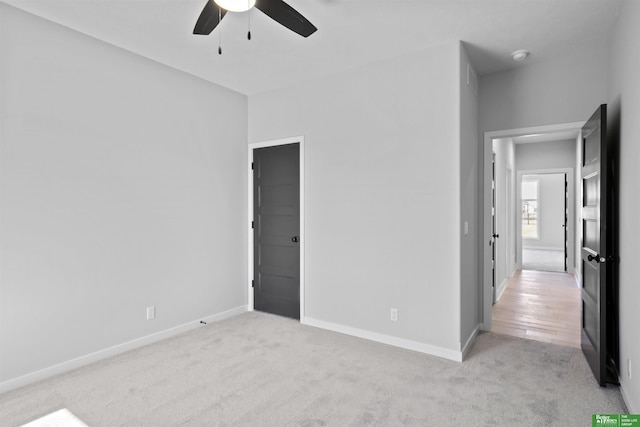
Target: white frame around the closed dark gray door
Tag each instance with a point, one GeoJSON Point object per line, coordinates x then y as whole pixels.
{"type": "Point", "coordinates": [272, 143]}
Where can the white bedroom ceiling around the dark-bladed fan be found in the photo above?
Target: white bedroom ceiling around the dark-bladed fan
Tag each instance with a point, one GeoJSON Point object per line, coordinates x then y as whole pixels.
{"type": "Point", "coordinates": [350, 33]}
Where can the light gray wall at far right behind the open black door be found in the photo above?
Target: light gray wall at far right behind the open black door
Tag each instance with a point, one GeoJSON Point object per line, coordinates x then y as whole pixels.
{"type": "Point", "coordinates": [624, 126]}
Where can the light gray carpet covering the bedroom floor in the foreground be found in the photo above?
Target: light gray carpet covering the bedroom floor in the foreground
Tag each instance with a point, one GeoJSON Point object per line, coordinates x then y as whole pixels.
{"type": "Point", "coordinates": [262, 370]}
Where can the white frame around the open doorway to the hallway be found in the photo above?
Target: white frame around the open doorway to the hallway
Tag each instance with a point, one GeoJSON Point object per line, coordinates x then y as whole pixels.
{"type": "Point", "coordinates": [486, 292]}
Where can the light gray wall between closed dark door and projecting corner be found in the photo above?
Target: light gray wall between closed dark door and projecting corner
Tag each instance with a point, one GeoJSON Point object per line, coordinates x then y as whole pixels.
{"type": "Point", "coordinates": [382, 147]}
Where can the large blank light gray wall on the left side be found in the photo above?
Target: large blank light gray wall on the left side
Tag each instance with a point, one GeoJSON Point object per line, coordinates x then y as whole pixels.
{"type": "Point", "coordinates": [123, 186]}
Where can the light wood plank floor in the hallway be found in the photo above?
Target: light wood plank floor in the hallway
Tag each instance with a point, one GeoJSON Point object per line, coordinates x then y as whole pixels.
{"type": "Point", "coordinates": [541, 306]}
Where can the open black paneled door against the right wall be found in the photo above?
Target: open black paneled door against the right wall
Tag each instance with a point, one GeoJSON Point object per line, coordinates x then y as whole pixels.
{"type": "Point", "coordinates": [599, 330]}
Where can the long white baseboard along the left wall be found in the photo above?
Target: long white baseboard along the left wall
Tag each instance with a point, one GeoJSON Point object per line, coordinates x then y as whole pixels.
{"type": "Point", "coordinates": [63, 367]}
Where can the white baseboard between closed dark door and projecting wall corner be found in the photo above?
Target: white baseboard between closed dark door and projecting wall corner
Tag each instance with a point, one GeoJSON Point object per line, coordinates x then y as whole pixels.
{"type": "Point", "coordinates": [445, 353]}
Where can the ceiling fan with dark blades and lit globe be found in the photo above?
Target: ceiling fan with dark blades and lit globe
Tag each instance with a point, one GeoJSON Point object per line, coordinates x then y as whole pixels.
{"type": "Point", "coordinates": [278, 10]}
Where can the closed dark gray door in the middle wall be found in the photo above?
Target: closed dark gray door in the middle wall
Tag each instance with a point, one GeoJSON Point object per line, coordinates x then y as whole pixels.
{"type": "Point", "coordinates": [276, 214]}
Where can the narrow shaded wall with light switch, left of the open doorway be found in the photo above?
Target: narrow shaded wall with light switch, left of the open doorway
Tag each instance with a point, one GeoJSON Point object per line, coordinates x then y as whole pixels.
{"type": "Point", "coordinates": [469, 208]}
